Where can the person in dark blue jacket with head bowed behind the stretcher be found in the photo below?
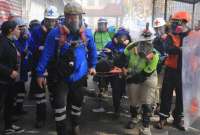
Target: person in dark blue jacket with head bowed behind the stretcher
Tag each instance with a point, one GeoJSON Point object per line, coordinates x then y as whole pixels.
{"type": "Point", "coordinates": [115, 48]}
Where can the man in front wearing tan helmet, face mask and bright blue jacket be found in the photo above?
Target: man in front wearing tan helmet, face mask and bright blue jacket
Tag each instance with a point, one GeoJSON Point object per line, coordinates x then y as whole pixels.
{"type": "Point", "coordinates": [65, 48]}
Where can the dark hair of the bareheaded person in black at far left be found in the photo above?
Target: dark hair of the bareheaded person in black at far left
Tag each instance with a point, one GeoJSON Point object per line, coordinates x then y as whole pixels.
{"type": "Point", "coordinates": [7, 26]}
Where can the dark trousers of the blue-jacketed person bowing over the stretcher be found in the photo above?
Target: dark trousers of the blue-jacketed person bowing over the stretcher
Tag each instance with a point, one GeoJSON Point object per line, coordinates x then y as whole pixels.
{"type": "Point", "coordinates": [118, 85]}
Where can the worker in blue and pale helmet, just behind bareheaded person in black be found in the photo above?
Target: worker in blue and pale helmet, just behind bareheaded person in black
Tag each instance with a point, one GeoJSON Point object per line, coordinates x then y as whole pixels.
{"type": "Point", "coordinates": [24, 45]}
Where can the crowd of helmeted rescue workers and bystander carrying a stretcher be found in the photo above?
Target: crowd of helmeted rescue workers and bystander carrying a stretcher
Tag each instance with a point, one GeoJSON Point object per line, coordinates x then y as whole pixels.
{"type": "Point", "coordinates": [61, 52]}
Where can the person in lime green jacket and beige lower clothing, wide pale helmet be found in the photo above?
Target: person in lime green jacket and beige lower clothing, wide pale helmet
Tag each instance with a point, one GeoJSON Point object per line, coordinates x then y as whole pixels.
{"type": "Point", "coordinates": [141, 80]}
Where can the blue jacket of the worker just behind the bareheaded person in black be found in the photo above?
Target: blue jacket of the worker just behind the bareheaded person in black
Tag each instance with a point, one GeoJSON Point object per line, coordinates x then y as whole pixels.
{"type": "Point", "coordinates": [25, 47]}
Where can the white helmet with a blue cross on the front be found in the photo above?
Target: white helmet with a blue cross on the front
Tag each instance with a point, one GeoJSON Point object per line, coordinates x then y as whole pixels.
{"type": "Point", "coordinates": [51, 12]}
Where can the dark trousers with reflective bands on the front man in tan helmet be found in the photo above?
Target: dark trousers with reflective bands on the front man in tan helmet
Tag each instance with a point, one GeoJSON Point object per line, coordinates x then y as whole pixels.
{"type": "Point", "coordinates": [67, 99]}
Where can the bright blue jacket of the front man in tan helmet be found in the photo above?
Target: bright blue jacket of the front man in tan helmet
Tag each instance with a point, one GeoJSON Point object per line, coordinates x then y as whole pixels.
{"type": "Point", "coordinates": [85, 55]}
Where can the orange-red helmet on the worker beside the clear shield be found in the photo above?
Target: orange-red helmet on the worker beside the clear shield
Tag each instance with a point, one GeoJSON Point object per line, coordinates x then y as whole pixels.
{"type": "Point", "coordinates": [181, 15]}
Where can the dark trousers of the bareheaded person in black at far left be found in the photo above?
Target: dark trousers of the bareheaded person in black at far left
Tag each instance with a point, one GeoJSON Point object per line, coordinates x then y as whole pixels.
{"type": "Point", "coordinates": [9, 95]}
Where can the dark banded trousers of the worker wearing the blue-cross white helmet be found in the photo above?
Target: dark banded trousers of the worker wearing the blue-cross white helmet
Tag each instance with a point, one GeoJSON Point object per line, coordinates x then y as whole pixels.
{"type": "Point", "coordinates": [40, 96]}
